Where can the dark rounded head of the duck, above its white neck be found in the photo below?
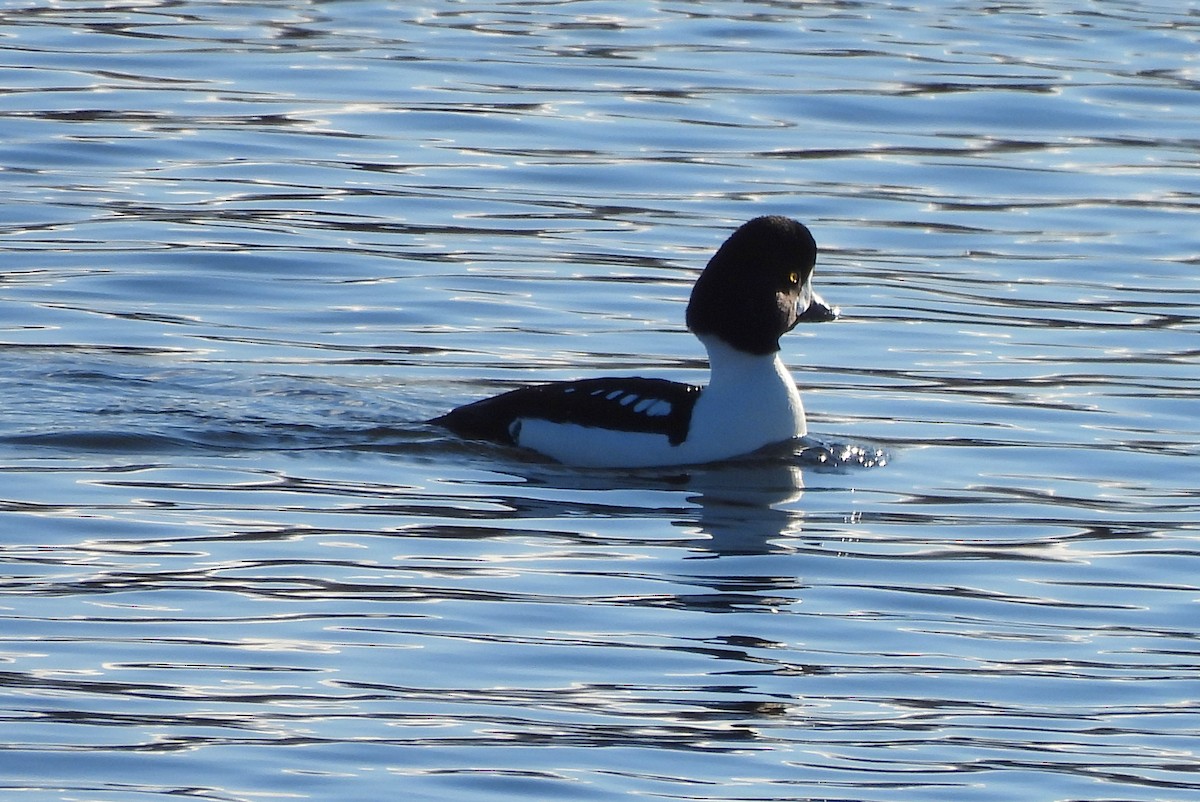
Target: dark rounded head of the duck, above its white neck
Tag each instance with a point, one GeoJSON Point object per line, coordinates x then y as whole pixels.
{"type": "Point", "coordinates": [757, 286]}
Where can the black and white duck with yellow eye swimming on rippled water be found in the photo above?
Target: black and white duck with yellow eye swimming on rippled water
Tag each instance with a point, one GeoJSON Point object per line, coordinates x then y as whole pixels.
{"type": "Point", "coordinates": [755, 289]}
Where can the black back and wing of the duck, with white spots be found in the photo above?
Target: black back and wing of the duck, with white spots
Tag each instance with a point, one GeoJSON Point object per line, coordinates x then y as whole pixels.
{"type": "Point", "coordinates": [619, 403]}
